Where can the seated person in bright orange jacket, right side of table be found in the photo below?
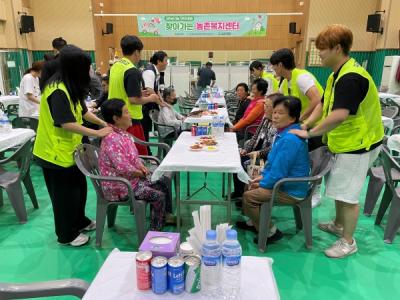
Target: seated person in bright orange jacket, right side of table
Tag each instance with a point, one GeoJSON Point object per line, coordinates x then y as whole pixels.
{"type": "Point", "coordinates": [255, 111]}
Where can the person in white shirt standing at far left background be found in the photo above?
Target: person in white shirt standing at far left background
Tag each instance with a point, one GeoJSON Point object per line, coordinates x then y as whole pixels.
{"type": "Point", "coordinates": [29, 92]}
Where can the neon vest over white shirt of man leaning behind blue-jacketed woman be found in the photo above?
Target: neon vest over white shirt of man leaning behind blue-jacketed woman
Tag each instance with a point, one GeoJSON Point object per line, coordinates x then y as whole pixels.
{"type": "Point", "coordinates": [295, 90]}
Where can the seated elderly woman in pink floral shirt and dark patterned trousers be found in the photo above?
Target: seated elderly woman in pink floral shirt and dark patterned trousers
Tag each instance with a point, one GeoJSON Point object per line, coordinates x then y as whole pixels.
{"type": "Point", "coordinates": [119, 158]}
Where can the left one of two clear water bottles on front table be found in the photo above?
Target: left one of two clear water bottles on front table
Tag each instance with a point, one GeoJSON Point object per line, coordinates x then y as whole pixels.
{"type": "Point", "coordinates": [211, 265]}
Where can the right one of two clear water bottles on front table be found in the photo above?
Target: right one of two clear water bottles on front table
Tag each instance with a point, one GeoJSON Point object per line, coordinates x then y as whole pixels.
{"type": "Point", "coordinates": [231, 257]}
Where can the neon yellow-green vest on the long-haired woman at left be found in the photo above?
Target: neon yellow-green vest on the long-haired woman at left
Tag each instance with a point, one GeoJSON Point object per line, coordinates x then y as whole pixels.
{"type": "Point", "coordinates": [55, 144]}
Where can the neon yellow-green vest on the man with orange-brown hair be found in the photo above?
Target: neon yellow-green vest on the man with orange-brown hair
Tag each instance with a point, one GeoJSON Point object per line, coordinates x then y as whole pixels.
{"type": "Point", "coordinates": [358, 131]}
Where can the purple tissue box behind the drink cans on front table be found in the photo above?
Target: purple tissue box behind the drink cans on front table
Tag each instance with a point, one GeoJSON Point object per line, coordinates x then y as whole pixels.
{"type": "Point", "coordinates": [161, 243]}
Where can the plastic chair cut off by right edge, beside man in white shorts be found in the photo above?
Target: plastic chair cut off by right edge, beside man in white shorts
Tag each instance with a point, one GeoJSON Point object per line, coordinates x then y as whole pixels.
{"type": "Point", "coordinates": [393, 223]}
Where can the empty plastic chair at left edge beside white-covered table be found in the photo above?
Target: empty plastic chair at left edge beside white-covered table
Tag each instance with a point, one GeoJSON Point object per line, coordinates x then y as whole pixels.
{"type": "Point", "coordinates": [11, 181]}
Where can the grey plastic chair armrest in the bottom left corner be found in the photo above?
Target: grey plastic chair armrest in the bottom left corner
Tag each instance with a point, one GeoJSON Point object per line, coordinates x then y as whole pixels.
{"type": "Point", "coordinates": [66, 287]}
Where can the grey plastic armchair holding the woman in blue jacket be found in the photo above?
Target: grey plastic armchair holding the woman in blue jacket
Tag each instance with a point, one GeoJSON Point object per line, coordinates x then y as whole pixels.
{"type": "Point", "coordinates": [321, 163]}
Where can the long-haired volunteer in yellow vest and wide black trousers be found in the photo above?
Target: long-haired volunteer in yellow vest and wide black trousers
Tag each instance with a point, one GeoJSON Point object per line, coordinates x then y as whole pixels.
{"type": "Point", "coordinates": [60, 131]}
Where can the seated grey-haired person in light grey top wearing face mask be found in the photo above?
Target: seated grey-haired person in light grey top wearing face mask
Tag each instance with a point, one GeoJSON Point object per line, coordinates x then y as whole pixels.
{"type": "Point", "coordinates": [168, 116]}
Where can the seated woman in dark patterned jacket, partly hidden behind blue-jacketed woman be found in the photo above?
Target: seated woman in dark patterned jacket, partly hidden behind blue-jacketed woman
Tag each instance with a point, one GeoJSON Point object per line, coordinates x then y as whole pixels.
{"type": "Point", "coordinates": [259, 145]}
